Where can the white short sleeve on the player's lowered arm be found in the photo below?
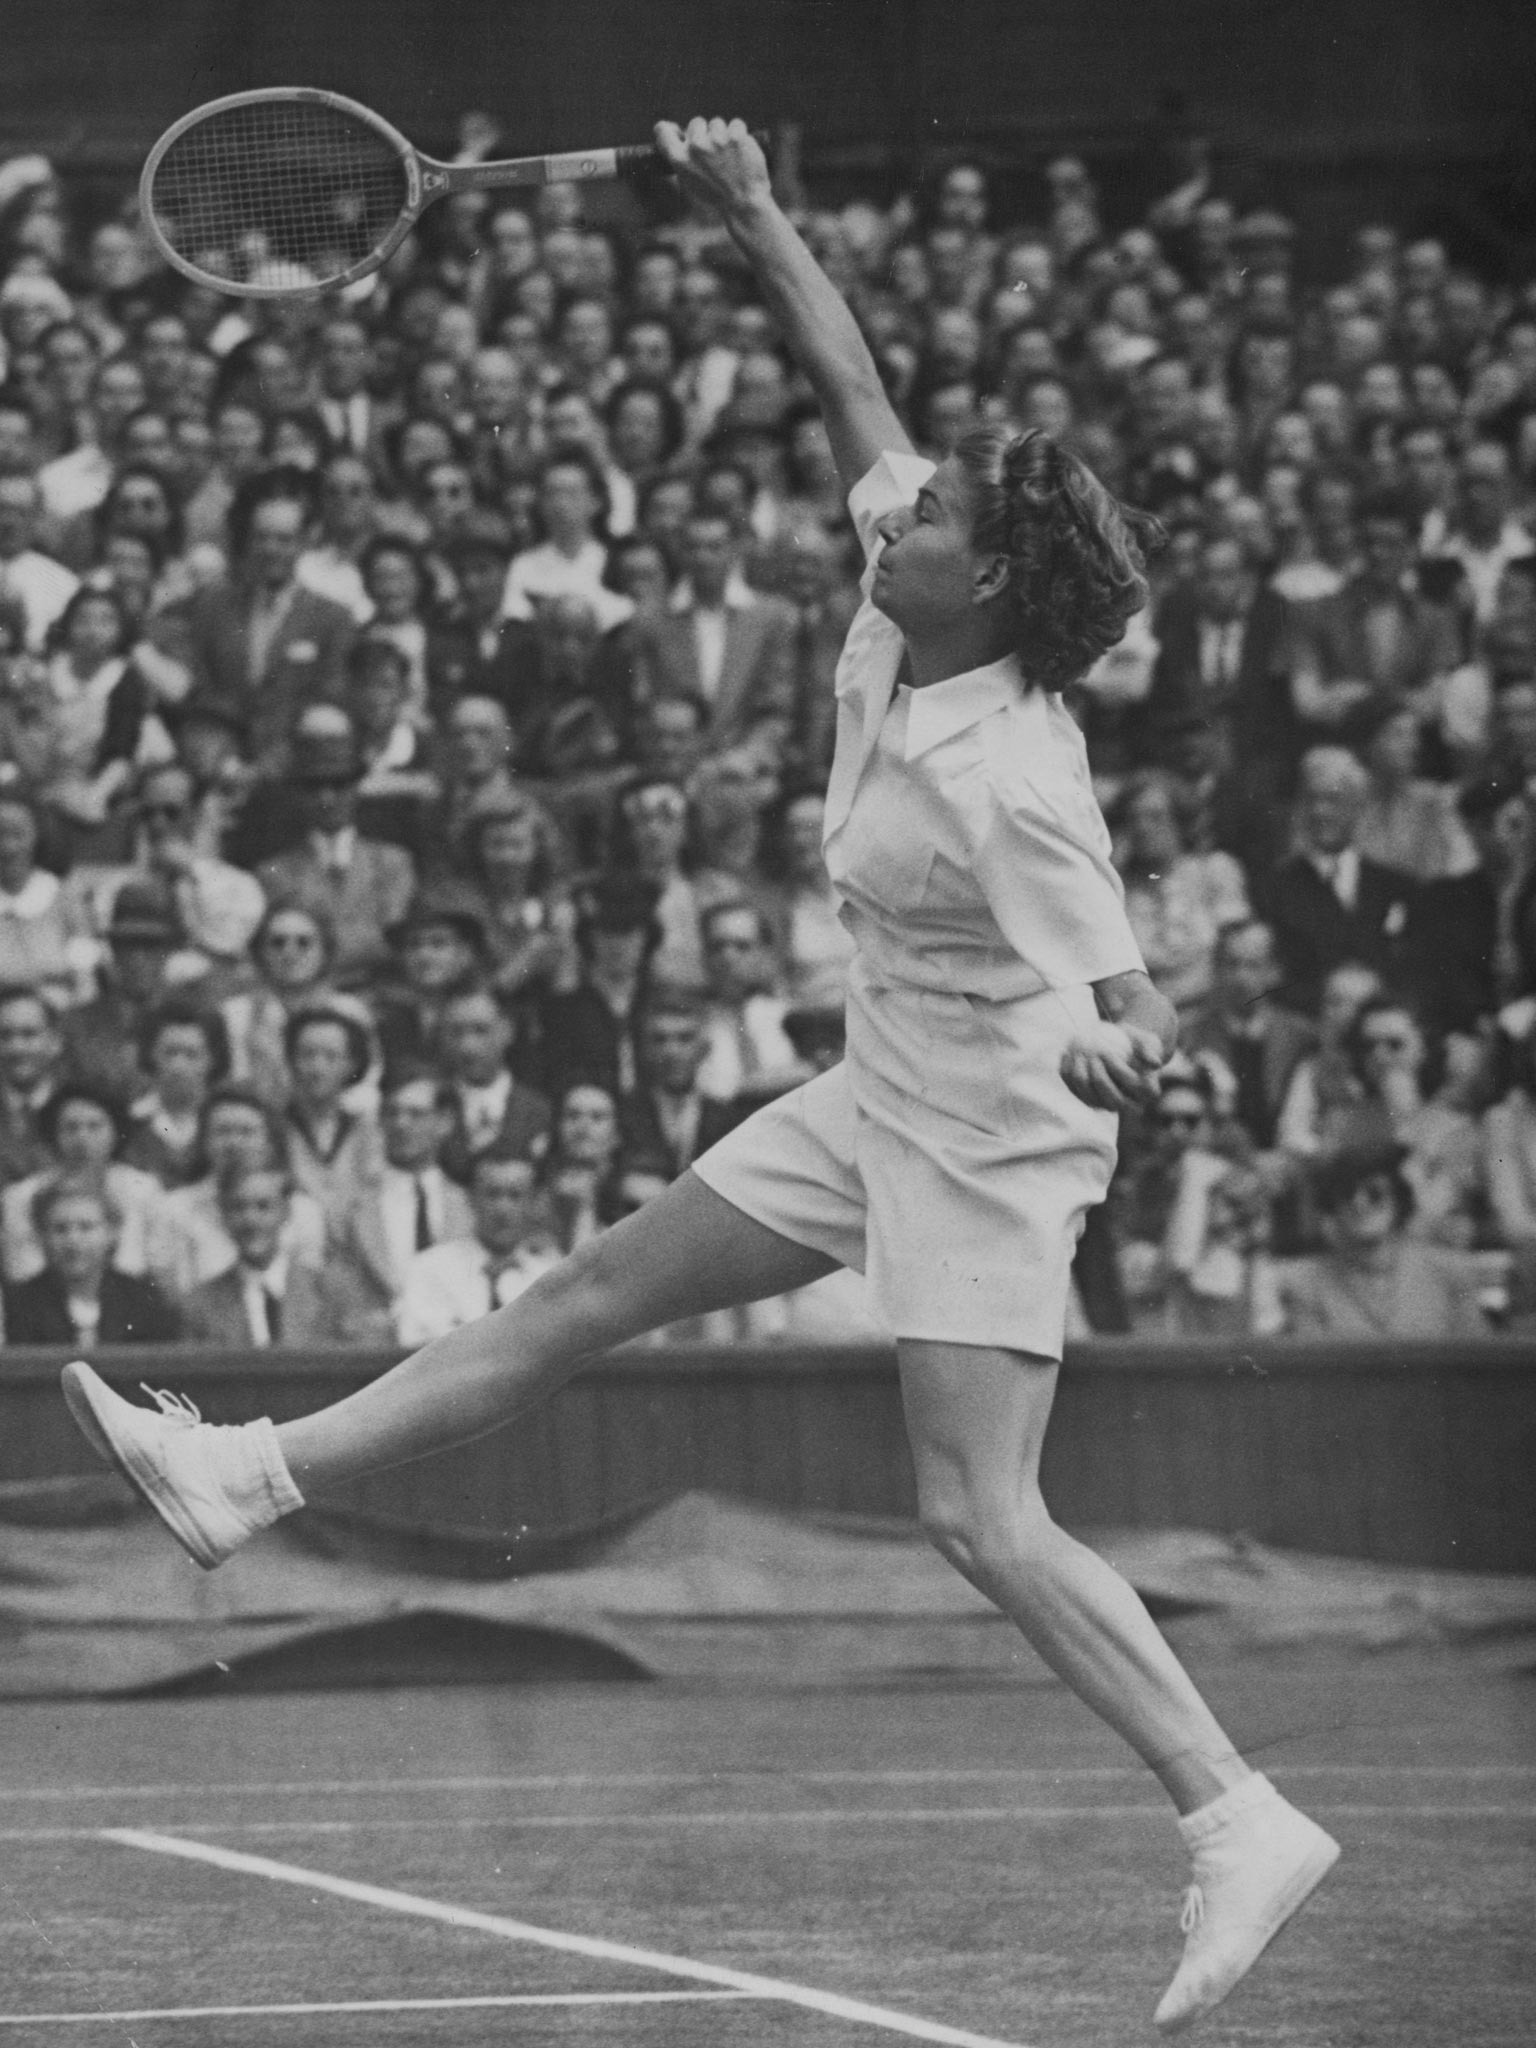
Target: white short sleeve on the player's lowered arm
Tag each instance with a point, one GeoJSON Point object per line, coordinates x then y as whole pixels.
{"type": "Point", "coordinates": [1056, 896]}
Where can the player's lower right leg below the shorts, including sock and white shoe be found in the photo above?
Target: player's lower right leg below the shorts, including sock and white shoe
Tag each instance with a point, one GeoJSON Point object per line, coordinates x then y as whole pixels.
{"type": "Point", "coordinates": [978, 1422]}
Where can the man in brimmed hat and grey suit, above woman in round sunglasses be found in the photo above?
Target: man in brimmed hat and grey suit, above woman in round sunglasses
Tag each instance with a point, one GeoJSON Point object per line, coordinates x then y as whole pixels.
{"type": "Point", "coordinates": [361, 886]}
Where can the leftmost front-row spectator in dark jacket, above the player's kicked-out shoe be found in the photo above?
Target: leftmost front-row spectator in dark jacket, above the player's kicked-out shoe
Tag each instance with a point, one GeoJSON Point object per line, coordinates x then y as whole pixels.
{"type": "Point", "coordinates": [81, 1297]}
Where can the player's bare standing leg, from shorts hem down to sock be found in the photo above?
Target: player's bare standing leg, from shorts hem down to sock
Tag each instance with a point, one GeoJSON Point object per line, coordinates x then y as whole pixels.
{"type": "Point", "coordinates": [976, 1420]}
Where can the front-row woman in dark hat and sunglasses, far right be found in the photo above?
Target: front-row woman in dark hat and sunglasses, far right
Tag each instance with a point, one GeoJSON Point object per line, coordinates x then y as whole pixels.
{"type": "Point", "coordinates": [1375, 1281]}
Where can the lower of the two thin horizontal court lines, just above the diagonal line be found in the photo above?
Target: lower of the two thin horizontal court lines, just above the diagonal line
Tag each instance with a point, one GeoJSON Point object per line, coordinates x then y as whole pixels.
{"type": "Point", "coordinates": [751, 1818]}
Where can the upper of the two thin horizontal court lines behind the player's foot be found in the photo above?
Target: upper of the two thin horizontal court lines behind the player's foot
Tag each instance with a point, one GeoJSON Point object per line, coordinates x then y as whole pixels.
{"type": "Point", "coordinates": [681, 1781]}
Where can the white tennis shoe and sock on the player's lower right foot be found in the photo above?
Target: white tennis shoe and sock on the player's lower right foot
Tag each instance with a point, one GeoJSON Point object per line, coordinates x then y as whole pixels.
{"type": "Point", "coordinates": [1256, 1861]}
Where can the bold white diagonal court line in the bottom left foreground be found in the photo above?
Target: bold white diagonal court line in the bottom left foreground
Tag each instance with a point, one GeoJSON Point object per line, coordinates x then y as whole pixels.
{"type": "Point", "coordinates": [572, 1945]}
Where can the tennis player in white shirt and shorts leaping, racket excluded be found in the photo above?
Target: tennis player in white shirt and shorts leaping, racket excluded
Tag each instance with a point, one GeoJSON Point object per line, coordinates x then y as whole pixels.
{"type": "Point", "coordinates": [998, 1019]}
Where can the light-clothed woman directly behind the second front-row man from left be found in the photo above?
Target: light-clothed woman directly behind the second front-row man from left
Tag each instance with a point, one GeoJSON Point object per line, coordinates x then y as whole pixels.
{"type": "Point", "coordinates": [187, 1240]}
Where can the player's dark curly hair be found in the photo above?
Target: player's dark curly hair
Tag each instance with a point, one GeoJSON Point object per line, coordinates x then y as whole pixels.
{"type": "Point", "coordinates": [1076, 554]}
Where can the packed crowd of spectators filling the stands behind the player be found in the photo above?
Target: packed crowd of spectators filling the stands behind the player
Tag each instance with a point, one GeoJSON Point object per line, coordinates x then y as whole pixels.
{"type": "Point", "coordinates": [417, 708]}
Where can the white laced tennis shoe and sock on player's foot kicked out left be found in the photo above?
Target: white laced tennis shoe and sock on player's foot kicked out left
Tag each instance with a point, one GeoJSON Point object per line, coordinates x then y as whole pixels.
{"type": "Point", "coordinates": [212, 1486]}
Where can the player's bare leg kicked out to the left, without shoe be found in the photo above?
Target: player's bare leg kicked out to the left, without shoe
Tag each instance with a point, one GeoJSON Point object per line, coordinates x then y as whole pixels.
{"type": "Point", "coordinates": [683, 1254]}
